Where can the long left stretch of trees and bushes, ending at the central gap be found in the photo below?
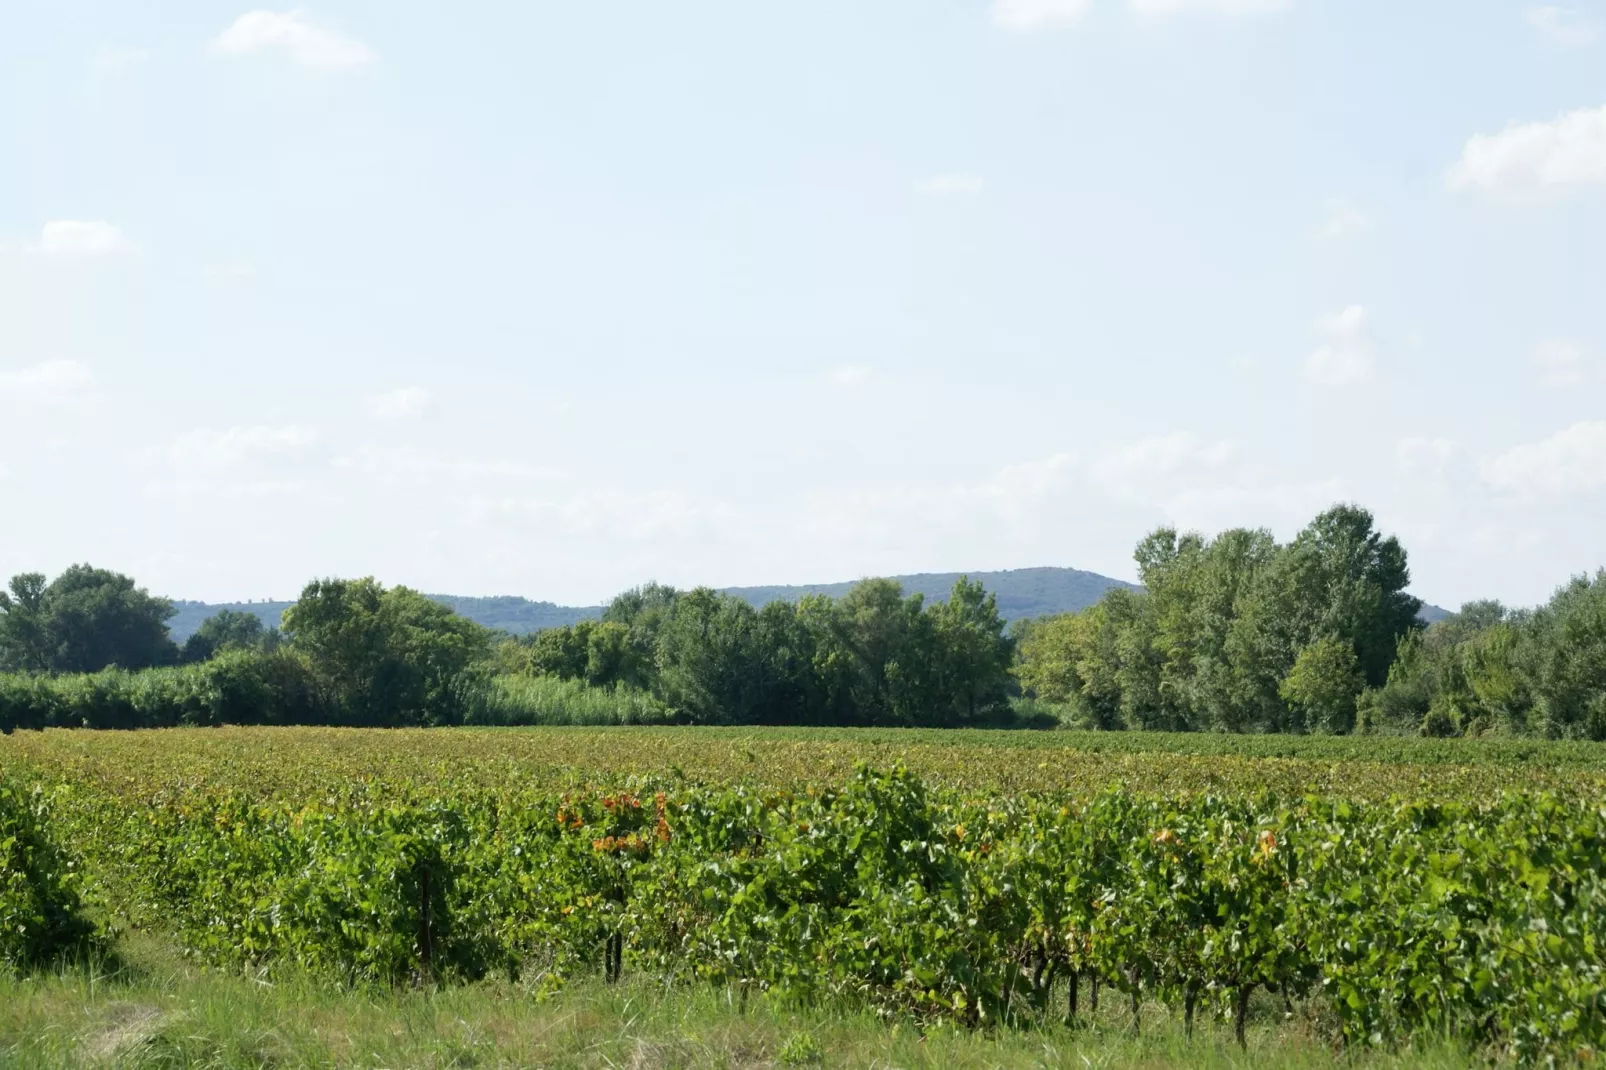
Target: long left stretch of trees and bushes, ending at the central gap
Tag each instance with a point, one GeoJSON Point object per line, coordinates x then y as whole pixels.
{"type": "Point", "coordinates": [357, 653]}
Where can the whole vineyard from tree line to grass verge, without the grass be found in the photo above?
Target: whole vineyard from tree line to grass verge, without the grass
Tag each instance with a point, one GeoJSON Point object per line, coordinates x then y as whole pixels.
{"type": "Point", "coordinates": [980, 880]}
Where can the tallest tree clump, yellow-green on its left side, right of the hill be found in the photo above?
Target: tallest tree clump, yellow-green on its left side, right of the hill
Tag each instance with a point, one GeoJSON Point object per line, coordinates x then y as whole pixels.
{"type": "Point", "coordinates": [1234, 634]}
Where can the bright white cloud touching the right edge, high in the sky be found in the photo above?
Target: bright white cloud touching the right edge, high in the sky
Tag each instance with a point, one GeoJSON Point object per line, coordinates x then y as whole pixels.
{"type": "Point", "coordinates": [1536, 158]}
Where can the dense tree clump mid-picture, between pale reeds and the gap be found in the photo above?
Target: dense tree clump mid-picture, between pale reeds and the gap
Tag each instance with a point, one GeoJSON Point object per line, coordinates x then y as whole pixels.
{"type": "Point", "coordinates": [871, 658]}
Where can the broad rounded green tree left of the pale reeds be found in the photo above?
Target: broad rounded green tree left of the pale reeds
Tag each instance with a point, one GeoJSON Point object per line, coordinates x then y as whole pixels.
{"type": "Point", "coordinates": [386, 656]}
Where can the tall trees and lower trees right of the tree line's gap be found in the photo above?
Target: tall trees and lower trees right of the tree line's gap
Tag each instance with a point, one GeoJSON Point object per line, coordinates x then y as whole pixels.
{"type": "Point", "coordinates": [1241, 634]}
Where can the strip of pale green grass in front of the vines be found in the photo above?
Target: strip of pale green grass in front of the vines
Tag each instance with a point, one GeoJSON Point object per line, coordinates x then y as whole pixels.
{"type": "Point", "coordinates": [157, 1010]}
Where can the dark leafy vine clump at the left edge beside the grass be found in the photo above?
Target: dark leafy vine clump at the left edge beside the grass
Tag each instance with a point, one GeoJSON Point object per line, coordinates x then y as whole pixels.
{"type": "Point", "coordinates": [39, 905]}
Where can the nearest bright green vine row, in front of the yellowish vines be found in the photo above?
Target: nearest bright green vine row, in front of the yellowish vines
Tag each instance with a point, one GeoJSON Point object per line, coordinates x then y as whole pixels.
{"type": "Point", "coordinates": [1483, 921]}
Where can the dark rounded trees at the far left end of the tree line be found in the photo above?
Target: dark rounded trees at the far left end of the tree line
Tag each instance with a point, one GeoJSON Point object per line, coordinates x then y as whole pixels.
{"type": "Point", "coordinates": [83, 623]}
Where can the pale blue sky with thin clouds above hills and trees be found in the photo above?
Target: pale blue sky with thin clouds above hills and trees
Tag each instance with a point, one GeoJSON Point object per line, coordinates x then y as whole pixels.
{"type": "Point", "coordinates": [552, 300]}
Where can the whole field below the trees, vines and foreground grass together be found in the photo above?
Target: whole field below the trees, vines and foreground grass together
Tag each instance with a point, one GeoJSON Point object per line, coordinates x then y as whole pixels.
{"type": "Point", "coordinates": [749, 897]}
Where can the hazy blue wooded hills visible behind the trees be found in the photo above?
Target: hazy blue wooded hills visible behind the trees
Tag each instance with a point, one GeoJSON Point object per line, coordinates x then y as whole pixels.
{"type": "Point", "coordinates": [1022, 594]}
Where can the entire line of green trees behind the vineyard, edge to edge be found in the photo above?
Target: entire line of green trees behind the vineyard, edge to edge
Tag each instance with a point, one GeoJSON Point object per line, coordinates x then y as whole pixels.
{"type": "Point", "coordinates": [1233, 634]}
